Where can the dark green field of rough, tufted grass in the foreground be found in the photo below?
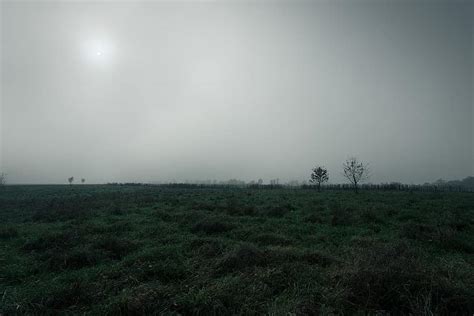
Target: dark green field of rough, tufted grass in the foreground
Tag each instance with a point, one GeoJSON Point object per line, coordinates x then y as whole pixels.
{"type": "Point", "coordinates": [161, 250]}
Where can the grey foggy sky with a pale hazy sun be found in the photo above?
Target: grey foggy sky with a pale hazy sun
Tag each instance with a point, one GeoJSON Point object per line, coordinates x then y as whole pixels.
{"type": "Point", "coordinates": [156, 91]}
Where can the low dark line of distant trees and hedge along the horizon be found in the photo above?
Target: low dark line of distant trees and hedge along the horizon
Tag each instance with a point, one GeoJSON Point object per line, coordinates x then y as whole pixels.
{"type": "Point", "coordinates": [465, 185]}
